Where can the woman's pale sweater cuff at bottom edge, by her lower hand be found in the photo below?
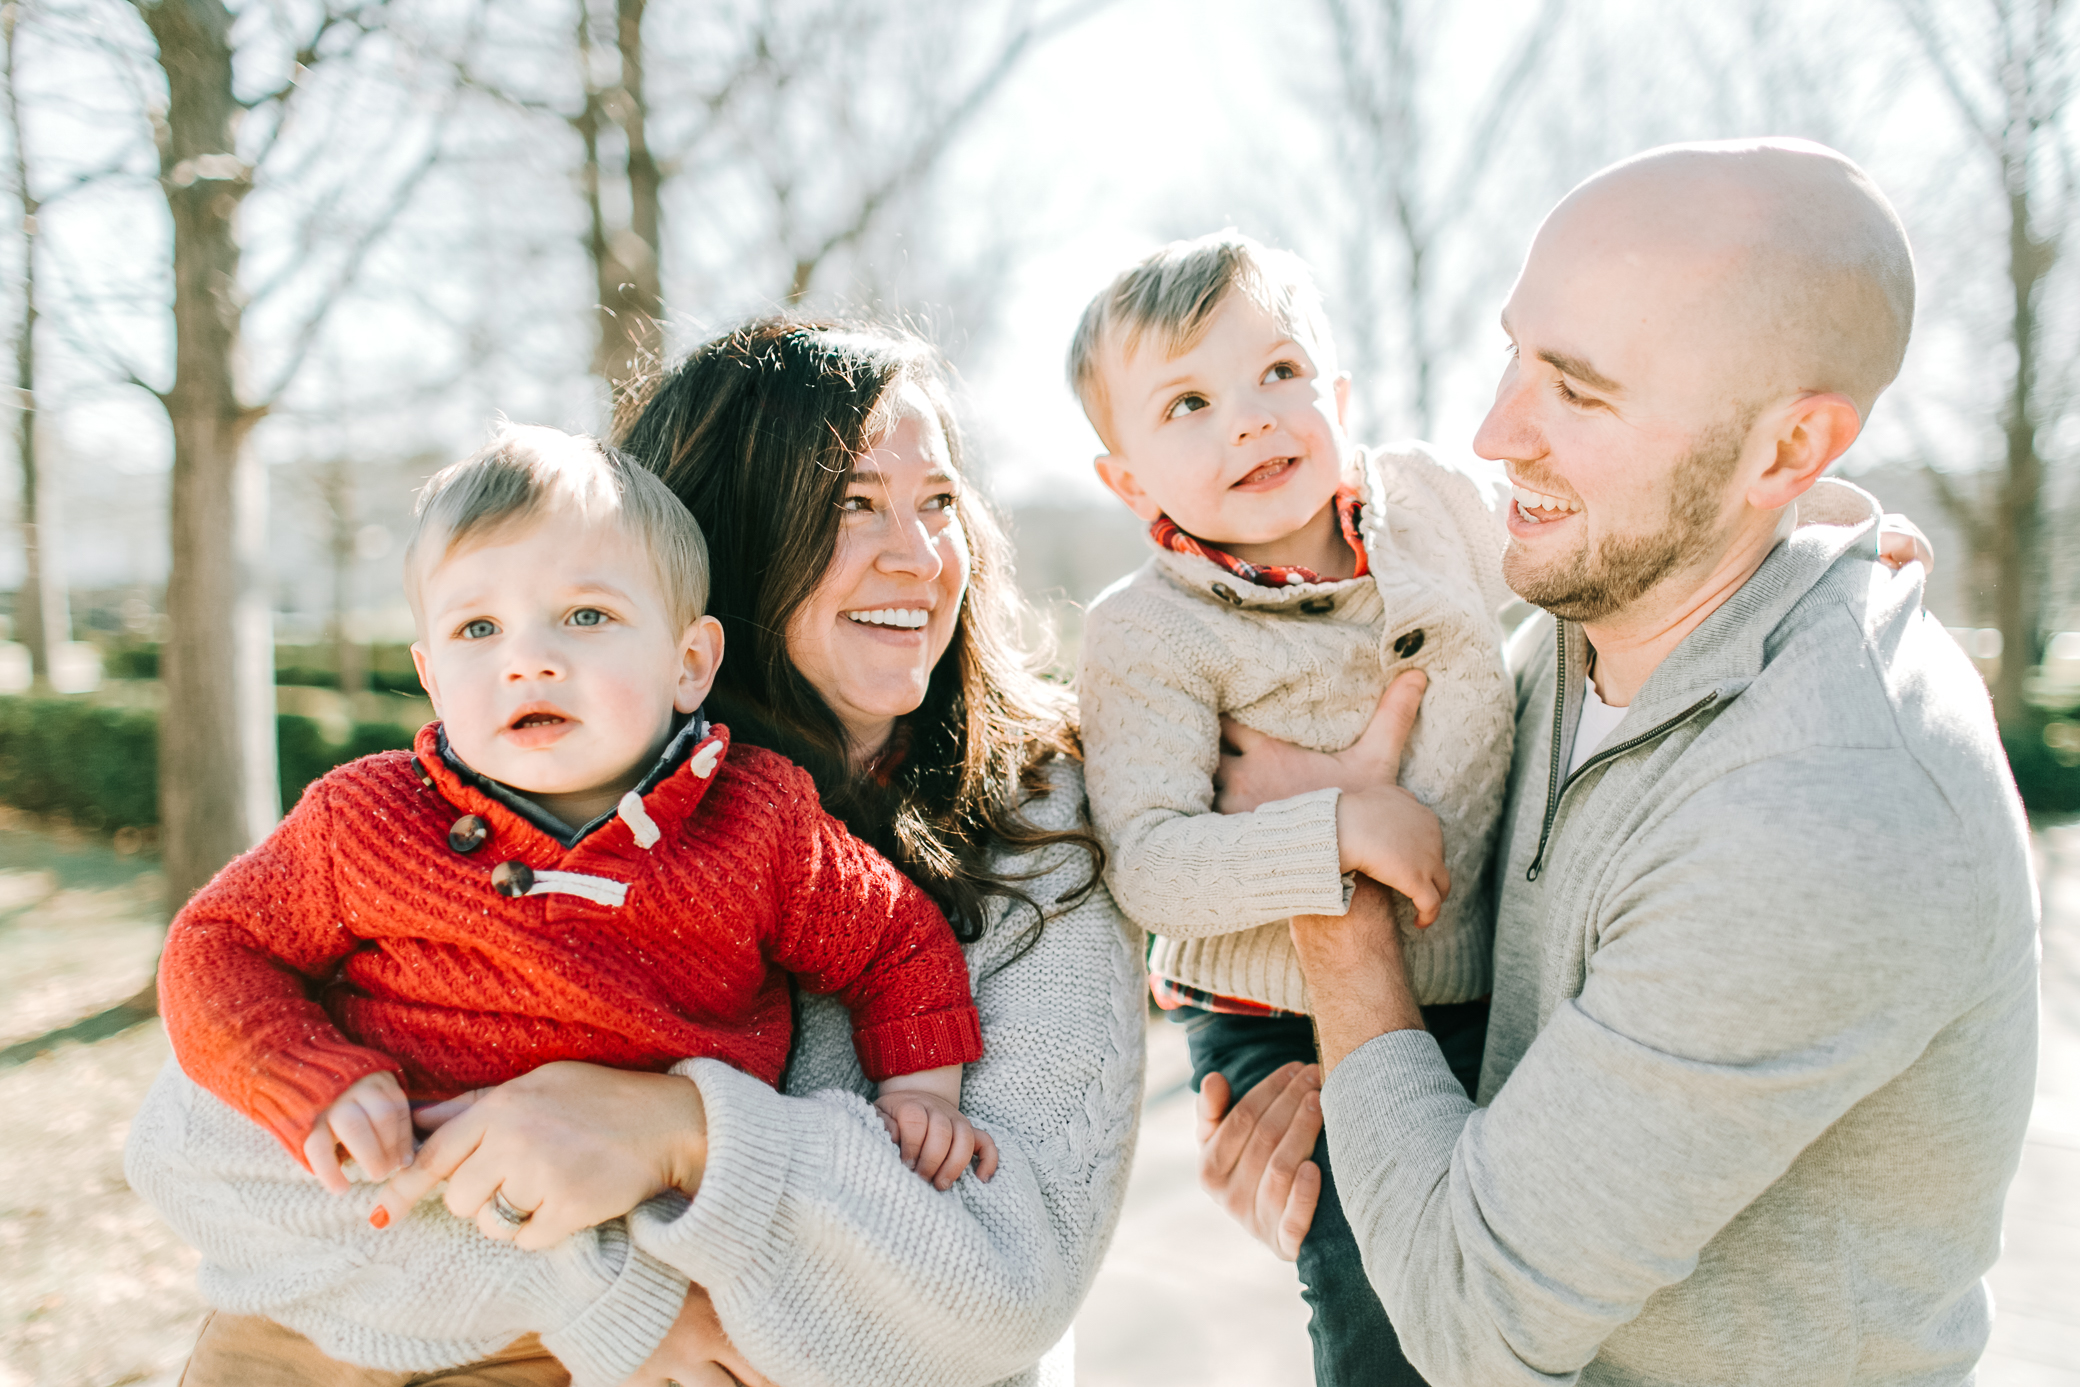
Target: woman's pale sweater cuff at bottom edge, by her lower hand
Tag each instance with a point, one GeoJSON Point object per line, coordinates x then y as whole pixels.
{"type": "Point", "coordinates": [625, 1311]}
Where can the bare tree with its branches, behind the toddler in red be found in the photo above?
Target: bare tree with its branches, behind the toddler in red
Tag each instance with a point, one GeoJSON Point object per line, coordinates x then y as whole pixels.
{"type": "Point", "coordinates": [217, 748]}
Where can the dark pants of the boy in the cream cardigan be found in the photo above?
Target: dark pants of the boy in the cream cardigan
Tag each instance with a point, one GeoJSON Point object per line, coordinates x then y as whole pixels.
{"type": "Point", "coordinates": [1355, 1346]}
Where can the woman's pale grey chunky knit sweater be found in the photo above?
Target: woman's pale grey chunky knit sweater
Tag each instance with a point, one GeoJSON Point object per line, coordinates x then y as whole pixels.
{"type": "Point", "coordinates": [829, 1263]}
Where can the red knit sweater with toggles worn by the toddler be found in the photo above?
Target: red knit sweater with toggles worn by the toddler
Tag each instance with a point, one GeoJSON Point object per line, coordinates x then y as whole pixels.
{"type": "Point", "coordinates": [359, 939]}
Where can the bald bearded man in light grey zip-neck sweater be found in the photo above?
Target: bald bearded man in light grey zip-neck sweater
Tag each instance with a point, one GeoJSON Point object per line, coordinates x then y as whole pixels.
{"type": "Point", "coordinates": [1765, 1018]}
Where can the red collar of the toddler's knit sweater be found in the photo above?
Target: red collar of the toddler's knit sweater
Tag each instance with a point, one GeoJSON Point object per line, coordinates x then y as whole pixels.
{"type": "Point", "coordinates": [669, 793]}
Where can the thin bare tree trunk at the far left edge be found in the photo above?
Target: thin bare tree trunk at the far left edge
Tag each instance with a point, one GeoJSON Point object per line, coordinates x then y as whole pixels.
{"type": "Point", "coordinates": [41, 608]}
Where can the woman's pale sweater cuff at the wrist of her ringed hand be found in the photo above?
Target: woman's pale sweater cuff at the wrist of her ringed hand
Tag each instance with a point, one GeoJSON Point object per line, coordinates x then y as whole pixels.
{"type": "Point", "coordinates": [727, 1232]}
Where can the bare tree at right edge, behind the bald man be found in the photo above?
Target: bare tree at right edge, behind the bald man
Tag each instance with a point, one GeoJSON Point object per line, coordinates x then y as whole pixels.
{"type": "Point", "coordinates": [2008, 72]}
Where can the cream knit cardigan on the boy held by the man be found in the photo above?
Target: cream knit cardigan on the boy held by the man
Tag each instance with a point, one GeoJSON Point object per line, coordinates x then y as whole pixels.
{"type": "Point", "coordinates": [1180, 644]}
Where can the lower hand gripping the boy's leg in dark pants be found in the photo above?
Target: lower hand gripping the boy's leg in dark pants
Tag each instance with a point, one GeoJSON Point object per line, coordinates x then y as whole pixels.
{"type": "Point", "coordinates": [1255, 1159]}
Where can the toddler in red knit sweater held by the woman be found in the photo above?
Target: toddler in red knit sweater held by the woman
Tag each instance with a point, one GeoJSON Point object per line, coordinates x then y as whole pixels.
{"type": "Point", "coordinates": [571, 866]}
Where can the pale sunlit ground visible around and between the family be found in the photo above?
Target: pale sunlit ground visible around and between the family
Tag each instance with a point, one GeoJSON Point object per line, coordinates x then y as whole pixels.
{"type": "Point", "coordinates": [97, 1292]}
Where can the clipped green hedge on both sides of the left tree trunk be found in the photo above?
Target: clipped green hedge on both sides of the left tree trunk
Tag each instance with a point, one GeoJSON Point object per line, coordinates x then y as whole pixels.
{"type": "Point", "coordinates": [99, 766]}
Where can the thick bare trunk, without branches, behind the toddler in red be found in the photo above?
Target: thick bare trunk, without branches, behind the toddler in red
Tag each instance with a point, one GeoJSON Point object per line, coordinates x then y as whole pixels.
{"type": "Point", "coordinates": [217, 735]}
